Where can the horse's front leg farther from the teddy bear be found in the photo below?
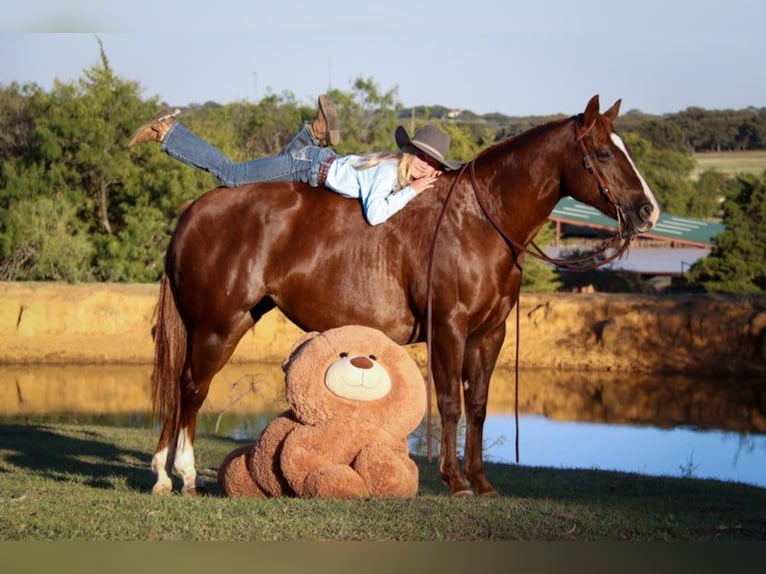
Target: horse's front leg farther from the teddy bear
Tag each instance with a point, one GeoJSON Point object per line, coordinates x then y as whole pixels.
{"type": "Point", "coordinates": [479, 363]}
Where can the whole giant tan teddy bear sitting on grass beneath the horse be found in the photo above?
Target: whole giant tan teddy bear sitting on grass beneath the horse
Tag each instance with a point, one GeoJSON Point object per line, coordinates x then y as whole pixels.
{"type": "Point", "coordinates": [354, 397]}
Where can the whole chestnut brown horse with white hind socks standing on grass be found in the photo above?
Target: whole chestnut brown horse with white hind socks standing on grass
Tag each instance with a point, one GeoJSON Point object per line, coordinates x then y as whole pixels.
{"type": "Point", "coordinates": [237, 253]}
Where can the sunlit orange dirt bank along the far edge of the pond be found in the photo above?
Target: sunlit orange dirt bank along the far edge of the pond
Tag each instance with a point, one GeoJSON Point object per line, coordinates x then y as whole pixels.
{"type": "Point", "coordinates": [112, 323]}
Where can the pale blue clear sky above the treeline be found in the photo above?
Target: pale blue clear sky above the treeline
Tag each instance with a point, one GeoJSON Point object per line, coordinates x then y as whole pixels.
{"type": "Point", "coordinates": [542, 57]}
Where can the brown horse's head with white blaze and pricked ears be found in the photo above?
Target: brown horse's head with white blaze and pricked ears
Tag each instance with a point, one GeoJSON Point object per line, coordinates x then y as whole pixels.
{"type": "Point", "coordinates": [605, 175]}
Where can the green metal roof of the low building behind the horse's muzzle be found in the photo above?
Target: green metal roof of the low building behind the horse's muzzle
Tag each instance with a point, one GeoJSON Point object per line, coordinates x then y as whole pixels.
{"type": "Point", "coordinates": [669, 227]}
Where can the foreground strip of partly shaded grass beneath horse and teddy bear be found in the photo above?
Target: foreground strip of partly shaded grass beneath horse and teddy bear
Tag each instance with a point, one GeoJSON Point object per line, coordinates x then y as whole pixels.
{"type": "Point", "coordinates": [68, 482]}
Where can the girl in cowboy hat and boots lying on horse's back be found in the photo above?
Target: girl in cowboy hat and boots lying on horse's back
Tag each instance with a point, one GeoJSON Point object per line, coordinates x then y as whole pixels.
{"type": "Point", "coordinates": [383, 182]}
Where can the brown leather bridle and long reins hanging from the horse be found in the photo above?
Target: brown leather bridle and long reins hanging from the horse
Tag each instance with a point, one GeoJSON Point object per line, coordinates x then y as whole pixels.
{"type": "Point", "coordinates": [587, 262]}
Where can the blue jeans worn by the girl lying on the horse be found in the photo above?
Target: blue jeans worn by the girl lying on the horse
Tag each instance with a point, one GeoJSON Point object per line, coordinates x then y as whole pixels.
{"type": "Point", "coordinates": [298, 161]}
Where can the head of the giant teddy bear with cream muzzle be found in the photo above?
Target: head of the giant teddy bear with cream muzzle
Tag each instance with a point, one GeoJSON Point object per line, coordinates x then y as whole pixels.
{"type": "Point", "coordinates": [354, 373]}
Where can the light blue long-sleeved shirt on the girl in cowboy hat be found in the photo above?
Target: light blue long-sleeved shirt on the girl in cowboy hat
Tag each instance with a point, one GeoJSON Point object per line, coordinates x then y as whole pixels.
{"type": "Point", "coordinates": [373, 186]}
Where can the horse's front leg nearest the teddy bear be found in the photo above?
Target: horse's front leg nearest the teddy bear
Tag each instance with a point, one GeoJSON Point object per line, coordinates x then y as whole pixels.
{"type": "Point", "coordinates": [446, 365]}
